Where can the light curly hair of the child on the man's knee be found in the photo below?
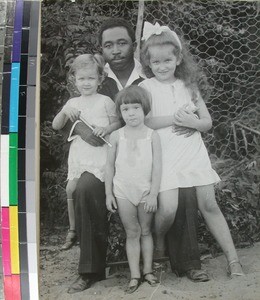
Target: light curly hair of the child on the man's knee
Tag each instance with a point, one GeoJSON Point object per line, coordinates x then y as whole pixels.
{"type": "Point", "coordinates": [84, 61]}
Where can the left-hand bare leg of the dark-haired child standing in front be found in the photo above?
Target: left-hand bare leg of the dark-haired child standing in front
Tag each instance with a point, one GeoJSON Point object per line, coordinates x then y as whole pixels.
{"type": "Point", "coordinates": [129, 216]}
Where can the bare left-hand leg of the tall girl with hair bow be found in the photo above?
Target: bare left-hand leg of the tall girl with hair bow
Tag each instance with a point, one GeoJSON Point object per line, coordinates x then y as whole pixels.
{"type": "Point", "coordinates": [164, 218]}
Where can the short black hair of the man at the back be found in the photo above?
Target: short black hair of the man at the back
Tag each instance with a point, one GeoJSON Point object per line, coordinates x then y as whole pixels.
{"type": "Point", "coordinates": [116, 22]}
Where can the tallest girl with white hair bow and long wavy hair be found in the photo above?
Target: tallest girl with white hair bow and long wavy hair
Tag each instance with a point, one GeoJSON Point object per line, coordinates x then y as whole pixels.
{"type": "Point", "coordinates": [175, 98]}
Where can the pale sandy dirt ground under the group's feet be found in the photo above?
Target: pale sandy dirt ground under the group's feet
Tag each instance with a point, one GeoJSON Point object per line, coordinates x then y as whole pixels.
{"type": "Point", "coordinates": [58, 269]}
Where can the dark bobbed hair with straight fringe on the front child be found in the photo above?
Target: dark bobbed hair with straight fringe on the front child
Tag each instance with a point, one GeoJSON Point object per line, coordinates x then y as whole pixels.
{"type": "Point", "coordinates": [133, 94]}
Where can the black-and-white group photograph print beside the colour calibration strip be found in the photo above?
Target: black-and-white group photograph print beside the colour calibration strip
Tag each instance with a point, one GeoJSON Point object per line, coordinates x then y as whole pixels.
{"type": "Point", "coordinates": [150, 150]}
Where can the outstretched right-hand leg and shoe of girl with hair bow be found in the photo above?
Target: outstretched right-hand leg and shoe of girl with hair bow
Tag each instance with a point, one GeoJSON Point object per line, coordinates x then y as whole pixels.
{"type": "Point", "coordinates": [217, 224]}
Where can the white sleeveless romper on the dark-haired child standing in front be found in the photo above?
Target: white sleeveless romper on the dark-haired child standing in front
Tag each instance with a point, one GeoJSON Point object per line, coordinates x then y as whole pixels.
{"type": "Point", "coordinates": [133, 167]}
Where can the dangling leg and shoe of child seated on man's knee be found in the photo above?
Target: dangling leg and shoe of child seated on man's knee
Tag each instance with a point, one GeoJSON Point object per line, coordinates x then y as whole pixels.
{"type": "Point", "coordinates": [71, 236]}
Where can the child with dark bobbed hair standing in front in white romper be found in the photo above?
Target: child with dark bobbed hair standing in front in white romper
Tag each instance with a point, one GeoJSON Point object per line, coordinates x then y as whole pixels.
{"type": "Point", "coordinates": [133, 175]}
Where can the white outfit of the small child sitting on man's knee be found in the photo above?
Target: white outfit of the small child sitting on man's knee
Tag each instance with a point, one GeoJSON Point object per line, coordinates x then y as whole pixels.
{"type": "Point", "coordinates": [82, 156]}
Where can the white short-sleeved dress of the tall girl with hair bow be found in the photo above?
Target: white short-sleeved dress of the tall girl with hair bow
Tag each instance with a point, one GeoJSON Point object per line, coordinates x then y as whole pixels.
{"type": "Point", "coordinates": [185, 160]}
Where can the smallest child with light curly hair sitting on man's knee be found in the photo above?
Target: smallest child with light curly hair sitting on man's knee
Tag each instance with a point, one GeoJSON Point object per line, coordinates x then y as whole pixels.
{"type": "Point", "coordinates": [98, 110]}
